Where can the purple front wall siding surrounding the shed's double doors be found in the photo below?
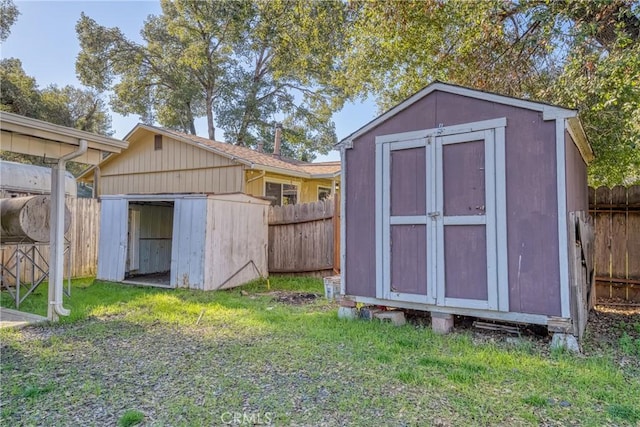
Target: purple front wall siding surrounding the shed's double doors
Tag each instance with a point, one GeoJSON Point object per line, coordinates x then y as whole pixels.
{"type": "Point", "coordinates": [532, 227]}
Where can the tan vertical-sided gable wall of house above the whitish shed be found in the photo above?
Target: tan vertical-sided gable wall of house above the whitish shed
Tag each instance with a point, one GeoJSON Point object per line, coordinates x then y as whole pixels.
{"type": "Point", "coordinates": [177, 168]}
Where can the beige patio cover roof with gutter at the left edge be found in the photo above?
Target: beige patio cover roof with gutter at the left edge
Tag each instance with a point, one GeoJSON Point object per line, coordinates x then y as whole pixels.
{"type": "Point", "coordinates": [26, 135]}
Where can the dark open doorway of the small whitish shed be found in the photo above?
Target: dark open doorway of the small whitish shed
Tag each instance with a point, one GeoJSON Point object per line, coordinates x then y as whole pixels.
{"type": "Point", "coordinates": [149, 243]}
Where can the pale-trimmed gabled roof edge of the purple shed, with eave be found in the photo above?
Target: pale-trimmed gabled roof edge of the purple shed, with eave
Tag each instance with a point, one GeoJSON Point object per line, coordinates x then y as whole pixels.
{"type": "Point", "coordinates": [549, 112]}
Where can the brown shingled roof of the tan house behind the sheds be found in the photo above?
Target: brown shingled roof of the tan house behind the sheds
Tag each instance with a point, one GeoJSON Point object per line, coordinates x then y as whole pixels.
{"type": "Point", "coordinates": [247, 156]}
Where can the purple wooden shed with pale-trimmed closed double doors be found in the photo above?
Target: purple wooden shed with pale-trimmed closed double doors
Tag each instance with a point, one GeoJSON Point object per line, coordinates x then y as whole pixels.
{"type": "Point", "coordinates": [457, 201]}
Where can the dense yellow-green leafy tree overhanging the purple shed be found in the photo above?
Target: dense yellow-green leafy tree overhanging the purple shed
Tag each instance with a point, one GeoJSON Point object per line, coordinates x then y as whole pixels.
{"type": "Point", "coordinates": [578, 53]}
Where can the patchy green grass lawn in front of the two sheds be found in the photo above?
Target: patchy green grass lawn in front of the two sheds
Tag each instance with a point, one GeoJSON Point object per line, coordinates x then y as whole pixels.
{"type": "Point", "coordinates": [130, 355]}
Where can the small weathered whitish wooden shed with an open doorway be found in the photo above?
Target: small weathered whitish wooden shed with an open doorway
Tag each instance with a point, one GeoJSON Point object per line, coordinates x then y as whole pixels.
{"type": "Point", "coordinates": [195, 241]}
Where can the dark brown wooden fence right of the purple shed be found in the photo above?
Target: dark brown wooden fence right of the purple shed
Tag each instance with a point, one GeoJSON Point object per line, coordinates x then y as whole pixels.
{"type": "Point", "coordinates": [616, 215]}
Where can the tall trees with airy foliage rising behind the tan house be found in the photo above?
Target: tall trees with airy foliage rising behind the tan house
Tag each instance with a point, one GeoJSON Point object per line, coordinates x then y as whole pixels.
{"type": "Point", "coordinates": [243, 64]}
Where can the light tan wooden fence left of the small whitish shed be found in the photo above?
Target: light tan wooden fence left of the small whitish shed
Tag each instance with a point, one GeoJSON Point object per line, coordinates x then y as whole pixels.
{"type": "Point", "coordinates": [83, 242]}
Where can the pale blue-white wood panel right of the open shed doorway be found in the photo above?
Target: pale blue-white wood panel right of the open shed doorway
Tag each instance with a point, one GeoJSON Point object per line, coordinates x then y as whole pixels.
{"type": "Point", "coordinates": [188, 251]}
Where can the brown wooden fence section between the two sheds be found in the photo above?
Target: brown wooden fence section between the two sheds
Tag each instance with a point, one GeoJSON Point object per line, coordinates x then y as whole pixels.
{"type": "Point", "coordinates": [304, 238]}
